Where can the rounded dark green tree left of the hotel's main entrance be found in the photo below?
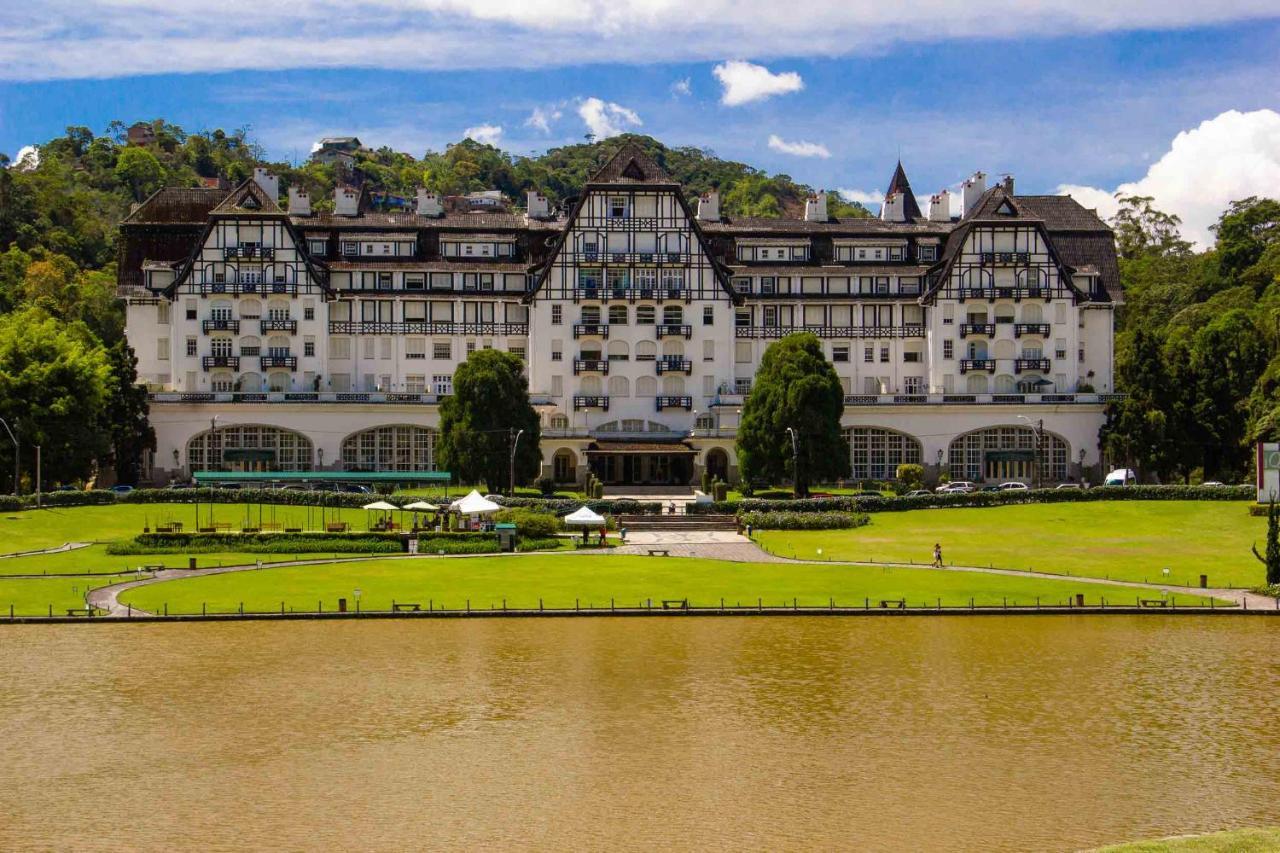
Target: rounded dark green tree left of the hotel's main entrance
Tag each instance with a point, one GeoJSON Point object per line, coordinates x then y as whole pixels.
{"type": "Point", "coordinates": [488, 405]}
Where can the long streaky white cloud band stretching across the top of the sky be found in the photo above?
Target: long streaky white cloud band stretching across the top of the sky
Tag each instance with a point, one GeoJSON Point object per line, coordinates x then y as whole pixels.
{"type": "Point", "coordinates": [79, 39]}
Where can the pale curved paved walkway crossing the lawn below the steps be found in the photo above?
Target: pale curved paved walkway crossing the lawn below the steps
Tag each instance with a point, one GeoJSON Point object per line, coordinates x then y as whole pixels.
{"type": "Point", "coordinates": [711, 545]}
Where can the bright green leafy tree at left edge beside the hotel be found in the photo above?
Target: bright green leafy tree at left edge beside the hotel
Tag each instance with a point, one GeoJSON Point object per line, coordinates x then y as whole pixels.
{"type": "Point", "coordinates": [54, 384]}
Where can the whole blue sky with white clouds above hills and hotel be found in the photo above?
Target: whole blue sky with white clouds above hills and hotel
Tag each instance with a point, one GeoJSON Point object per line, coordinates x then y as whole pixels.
{"type": "Point", "coordinates": [1177, 99]}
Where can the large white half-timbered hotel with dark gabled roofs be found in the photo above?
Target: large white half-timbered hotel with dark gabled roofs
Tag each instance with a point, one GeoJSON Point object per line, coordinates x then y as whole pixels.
{"type": "Point", "coordinates": [280, 339]}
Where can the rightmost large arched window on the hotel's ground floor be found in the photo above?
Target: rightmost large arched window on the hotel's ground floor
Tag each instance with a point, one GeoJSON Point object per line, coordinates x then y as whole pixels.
{"type": "Point", "coordinates": [1003, 454]}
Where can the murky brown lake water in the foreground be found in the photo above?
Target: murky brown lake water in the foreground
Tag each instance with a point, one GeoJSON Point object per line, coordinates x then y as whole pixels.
{"type": "Point", "coordinates": [1012, 733]}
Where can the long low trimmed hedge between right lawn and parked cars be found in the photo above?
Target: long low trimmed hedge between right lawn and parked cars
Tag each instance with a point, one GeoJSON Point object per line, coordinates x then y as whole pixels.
{"type": "Point", "coordinates": [982, 499]}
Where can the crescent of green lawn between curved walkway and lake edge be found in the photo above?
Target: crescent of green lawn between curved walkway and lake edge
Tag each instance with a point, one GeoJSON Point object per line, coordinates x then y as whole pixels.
{"type": "Point", "coordinates": [593, 581]}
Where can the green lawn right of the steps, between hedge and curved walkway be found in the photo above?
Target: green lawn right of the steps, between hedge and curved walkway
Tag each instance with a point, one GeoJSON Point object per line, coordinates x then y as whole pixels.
{"type": "Point", "coordinates": [1123, 540]}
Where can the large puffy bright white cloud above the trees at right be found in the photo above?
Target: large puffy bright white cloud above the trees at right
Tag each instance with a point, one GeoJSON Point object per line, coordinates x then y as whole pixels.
{"type": "Point", "coordinates": [1231, 157]}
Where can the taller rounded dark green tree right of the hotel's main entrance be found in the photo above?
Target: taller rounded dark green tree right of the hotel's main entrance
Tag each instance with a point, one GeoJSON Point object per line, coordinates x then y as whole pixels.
{"type": "Point", "coordinates": [796, 387]}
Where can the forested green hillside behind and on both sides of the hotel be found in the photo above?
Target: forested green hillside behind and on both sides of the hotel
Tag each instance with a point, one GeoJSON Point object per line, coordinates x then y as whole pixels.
{"type": "Point", "coordinates": [1197, 352]}
